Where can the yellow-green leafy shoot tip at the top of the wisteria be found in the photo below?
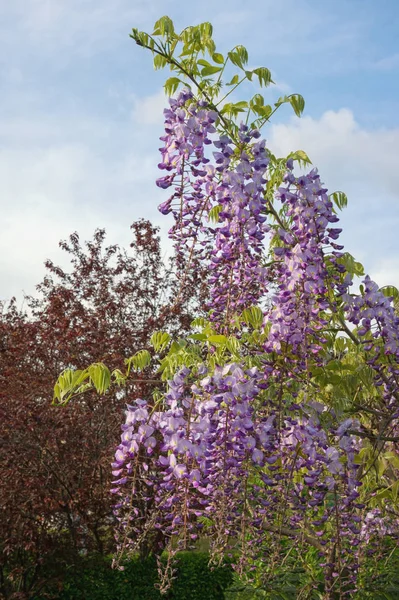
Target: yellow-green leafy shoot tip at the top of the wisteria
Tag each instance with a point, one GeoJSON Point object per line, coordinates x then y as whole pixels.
{"type": "Point", "coordinates": [192, 56]}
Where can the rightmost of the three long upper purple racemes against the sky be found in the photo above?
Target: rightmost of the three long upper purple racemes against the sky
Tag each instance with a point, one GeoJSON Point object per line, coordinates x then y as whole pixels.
{"type": "Point", "coordinates": [304, 273]}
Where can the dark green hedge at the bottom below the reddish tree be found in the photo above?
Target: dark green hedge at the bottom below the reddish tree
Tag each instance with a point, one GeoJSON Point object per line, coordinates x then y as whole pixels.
{"type": "Point", "coordinates": [96, 580]}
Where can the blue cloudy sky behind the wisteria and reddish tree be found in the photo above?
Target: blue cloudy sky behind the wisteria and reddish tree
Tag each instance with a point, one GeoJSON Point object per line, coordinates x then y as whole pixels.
{"type": "Point", "coordinates": [81, 113]}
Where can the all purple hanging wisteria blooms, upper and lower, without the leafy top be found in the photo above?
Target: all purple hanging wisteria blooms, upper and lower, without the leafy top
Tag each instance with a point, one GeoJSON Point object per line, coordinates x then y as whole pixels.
{"type": "Point", "coordinates": [241, 449]}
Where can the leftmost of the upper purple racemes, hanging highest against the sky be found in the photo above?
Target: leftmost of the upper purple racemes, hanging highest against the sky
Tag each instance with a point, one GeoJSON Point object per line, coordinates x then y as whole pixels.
{"type": "Point", "coordinates": [188, 127]}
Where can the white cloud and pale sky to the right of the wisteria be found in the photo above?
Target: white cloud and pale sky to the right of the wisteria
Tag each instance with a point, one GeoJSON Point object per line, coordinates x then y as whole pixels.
{"type": "Point", "coordinates": [362, 163]}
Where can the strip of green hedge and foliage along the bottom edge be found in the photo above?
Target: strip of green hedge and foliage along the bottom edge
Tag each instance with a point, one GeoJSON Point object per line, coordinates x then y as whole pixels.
{"type": "Point", "coordinates": [92, 578]}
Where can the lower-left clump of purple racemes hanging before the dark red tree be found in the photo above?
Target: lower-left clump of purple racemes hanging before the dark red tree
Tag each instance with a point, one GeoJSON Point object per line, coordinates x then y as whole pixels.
{"type": "Point", "coordinates": [186, 454]}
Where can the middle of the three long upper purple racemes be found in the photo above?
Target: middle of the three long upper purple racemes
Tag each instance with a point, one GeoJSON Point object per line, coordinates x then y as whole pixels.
{"type": "Point", "coordinates": [238, 278]}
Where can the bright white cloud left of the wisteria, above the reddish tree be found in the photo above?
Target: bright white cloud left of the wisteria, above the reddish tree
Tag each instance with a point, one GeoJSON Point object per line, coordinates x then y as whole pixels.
{"type": "Point", "coordinates": [52, 187]}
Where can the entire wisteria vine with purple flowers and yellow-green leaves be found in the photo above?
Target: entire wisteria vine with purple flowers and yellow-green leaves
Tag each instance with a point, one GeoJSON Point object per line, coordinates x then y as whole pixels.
{"type": "Point", "coordinates": [278, 419]}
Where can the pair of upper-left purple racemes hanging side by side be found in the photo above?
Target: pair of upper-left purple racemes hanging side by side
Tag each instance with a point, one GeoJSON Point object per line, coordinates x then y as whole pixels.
{"type": "Point", "coordinates": [232, 181]}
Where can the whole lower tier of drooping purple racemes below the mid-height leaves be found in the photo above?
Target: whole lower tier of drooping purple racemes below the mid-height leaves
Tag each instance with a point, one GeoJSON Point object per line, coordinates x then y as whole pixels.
{"type": "Point", "coordinates": [195, 459]}
